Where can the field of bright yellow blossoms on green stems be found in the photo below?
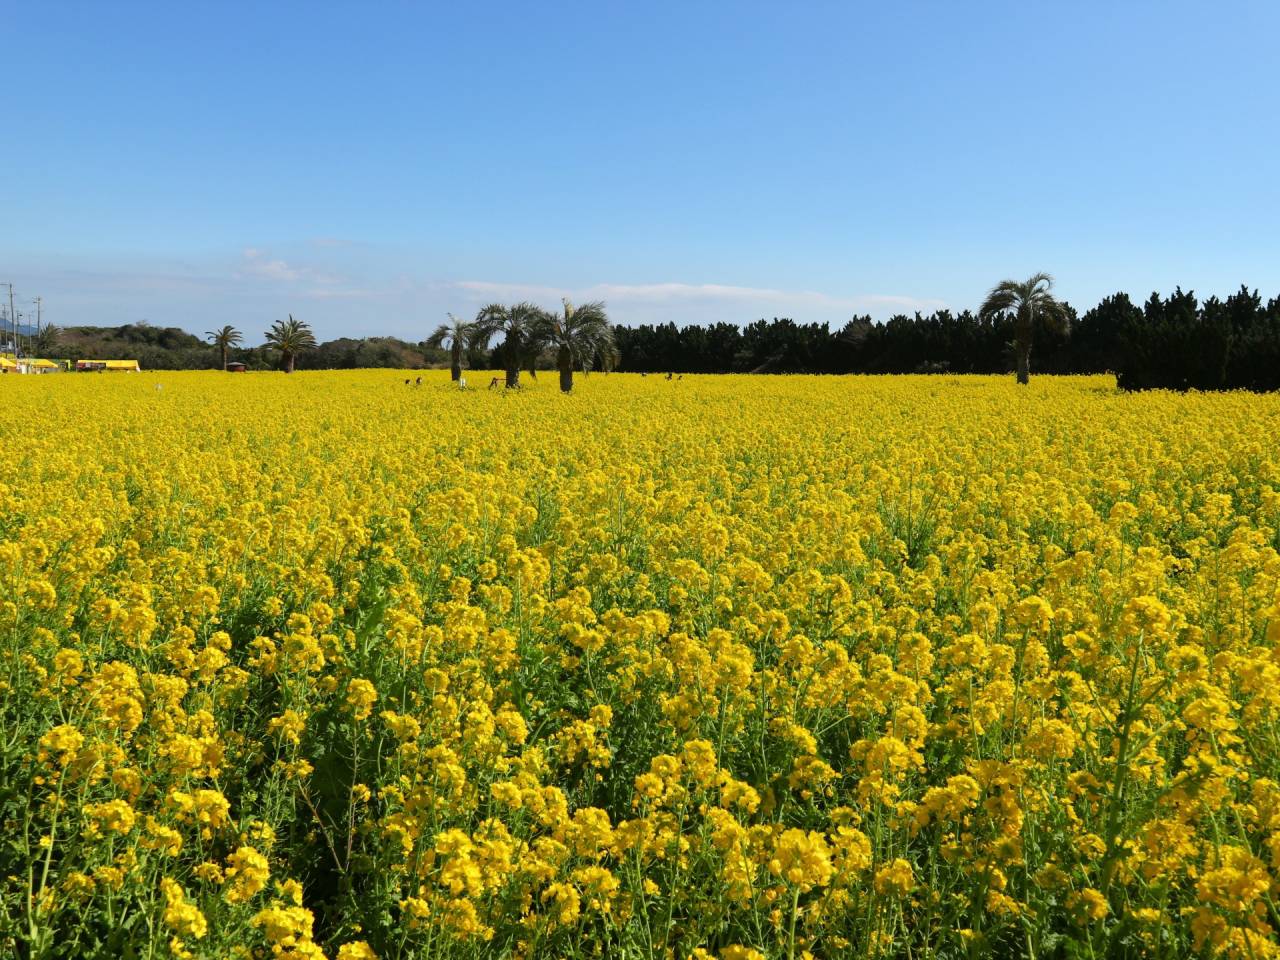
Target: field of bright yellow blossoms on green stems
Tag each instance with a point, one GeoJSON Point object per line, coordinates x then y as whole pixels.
{"type": "Point", "coordinates": [725, 668]}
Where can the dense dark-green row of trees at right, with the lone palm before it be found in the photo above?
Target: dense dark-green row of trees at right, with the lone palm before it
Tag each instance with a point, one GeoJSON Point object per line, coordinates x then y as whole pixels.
{"type": "Point", "coordinates": [1176, 342]}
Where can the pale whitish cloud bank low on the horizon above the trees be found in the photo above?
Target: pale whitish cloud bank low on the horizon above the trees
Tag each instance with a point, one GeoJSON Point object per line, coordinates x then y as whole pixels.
{"type": "Point", "coordinates": [342, 294]}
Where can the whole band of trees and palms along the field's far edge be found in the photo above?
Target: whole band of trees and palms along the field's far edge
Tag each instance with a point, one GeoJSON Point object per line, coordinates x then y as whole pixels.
{"type": "Point", "coordinates": [1176, 342]}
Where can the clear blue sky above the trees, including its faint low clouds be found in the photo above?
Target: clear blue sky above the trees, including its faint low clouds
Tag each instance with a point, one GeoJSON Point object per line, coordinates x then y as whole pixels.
{"type": "Point", "coordinates": [369, 167]}
